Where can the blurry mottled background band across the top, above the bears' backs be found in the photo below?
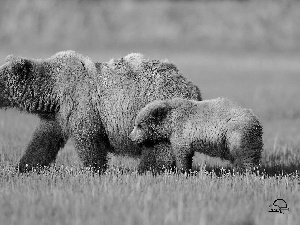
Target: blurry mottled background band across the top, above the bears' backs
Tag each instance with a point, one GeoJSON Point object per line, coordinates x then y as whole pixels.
{"type": "Point", "coordinates": [101, 24]}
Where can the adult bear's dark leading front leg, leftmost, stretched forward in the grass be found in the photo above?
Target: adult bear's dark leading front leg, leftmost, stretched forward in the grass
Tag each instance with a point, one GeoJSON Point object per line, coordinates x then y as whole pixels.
{"type": "Point", "coordinates": [42, 150]}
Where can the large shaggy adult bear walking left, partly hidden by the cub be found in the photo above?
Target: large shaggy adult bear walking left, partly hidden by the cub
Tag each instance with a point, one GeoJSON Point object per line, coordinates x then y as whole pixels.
{"type": "Point", "coordinates": [95, 104]}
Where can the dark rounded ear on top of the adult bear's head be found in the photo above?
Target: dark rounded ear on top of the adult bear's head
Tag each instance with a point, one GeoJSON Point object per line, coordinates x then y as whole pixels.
{"type": "Point", "coordinates": [21, 68]}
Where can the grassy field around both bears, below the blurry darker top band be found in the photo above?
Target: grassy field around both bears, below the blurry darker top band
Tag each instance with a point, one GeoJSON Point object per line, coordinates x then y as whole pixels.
{"type": "Point", "coordinates": [267, 83]}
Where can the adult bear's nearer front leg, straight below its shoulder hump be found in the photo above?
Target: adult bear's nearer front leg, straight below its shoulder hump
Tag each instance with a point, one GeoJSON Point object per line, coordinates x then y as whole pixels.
{"type": "Point", "coordinates": [91, 142]}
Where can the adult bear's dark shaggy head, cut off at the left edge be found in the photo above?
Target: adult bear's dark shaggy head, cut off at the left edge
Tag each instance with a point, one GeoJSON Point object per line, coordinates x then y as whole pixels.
{"type": "Point", "coordinates": [25, 85]}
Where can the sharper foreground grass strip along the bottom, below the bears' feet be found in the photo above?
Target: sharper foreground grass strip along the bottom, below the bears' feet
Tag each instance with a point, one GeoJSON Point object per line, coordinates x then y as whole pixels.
{"type": "Point", "coordinates": [70, 196]}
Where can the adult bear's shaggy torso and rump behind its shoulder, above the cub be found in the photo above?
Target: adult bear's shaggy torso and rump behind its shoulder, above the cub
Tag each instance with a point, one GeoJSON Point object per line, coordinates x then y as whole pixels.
{"type": "Point", "coordinates": [128, 84]}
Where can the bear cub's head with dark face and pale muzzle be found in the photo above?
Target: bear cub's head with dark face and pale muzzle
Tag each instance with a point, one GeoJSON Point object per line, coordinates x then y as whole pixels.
{"type": "Point", "coordinates": [152, 124]}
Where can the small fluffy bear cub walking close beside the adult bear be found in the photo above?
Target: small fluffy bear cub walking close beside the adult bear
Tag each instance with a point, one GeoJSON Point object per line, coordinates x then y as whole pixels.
{"type": "Point", "coordinates": [217, 127]}
